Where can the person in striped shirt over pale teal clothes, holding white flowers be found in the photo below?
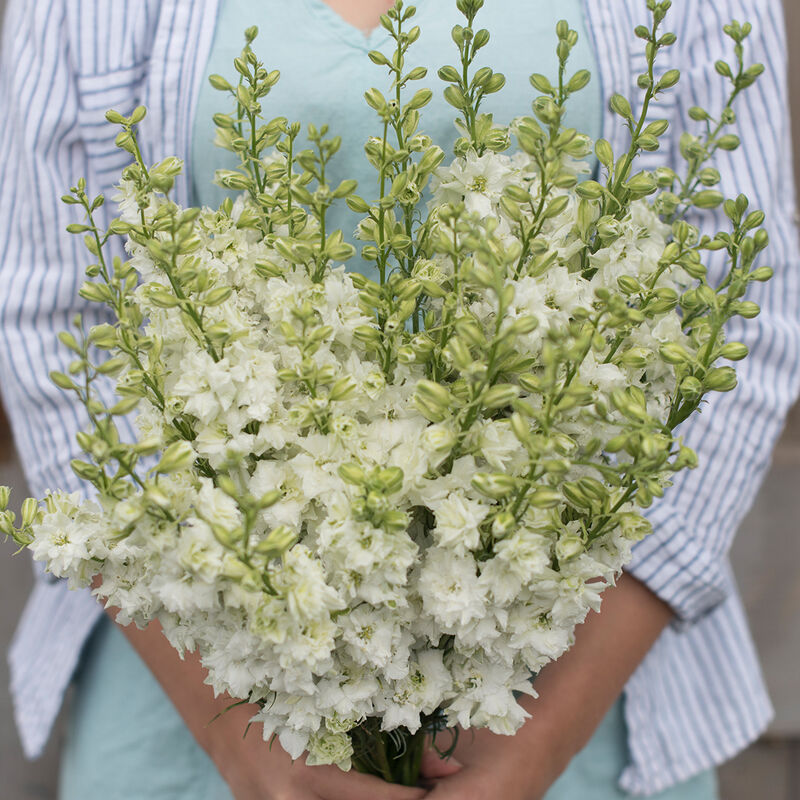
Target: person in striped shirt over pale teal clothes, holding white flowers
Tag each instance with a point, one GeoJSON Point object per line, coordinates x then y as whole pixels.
{"type": "Point", "coordinates": [660, 687]}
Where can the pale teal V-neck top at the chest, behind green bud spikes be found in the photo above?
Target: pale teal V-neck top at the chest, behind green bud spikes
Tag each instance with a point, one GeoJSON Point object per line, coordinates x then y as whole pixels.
{"type": "Point", "coordinates": [325, 72]}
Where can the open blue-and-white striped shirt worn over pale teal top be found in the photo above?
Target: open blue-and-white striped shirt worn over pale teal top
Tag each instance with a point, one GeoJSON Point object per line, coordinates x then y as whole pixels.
{"type": "Point", "coordinates": [698, 697]}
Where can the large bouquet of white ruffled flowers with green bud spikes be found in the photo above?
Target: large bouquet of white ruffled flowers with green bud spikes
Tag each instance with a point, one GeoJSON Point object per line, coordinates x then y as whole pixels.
{"type": "Point", "coordinates": [376, 508]}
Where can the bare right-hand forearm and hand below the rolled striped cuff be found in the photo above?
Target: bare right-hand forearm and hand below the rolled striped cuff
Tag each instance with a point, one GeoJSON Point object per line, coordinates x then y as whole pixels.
{"type": "Point", "coordinates": [575, 693]}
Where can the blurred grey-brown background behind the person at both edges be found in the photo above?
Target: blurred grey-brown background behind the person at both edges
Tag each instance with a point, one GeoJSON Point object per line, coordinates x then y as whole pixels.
{"type": "Point", "coordinates": [766, 556]}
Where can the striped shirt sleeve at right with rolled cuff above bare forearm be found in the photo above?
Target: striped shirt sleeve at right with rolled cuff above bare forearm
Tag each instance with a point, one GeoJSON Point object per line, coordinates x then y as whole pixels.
{"type": "Point", "coordinates": [684, 562]}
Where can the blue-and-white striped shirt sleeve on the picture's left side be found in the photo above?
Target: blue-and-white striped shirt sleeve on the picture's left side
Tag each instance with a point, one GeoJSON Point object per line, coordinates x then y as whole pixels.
{"type": "Point", "coordinates": [45, 144]}
